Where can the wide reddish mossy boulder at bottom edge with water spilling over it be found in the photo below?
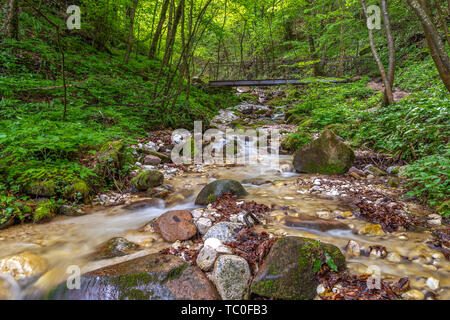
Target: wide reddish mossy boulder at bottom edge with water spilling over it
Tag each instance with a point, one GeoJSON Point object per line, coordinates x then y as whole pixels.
{"type": "Point", "coordinates": [152, 277]}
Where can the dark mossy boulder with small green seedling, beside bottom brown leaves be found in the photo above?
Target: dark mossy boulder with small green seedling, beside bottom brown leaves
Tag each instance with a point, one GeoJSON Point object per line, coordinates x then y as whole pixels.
{"type": "Point", "coordinates": [289, 270]}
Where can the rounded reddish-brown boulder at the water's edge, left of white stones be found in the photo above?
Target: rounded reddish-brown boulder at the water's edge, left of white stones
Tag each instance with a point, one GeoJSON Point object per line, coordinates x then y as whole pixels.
{"type": "Point", "coordinates": [175, 225]}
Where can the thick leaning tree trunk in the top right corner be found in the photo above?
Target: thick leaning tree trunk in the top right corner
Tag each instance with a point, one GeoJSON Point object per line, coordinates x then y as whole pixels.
{"type": "Point", "coordinates": [437, 49]}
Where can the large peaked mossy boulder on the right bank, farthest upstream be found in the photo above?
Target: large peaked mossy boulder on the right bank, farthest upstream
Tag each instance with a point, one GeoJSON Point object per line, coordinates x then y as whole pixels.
{"type": "Point", "coordinates": [328, 155]}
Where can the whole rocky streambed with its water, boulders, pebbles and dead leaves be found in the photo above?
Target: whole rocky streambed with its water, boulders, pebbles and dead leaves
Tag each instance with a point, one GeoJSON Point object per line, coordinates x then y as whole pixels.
{"type": "Point", "coordinates": [239, 232]}
